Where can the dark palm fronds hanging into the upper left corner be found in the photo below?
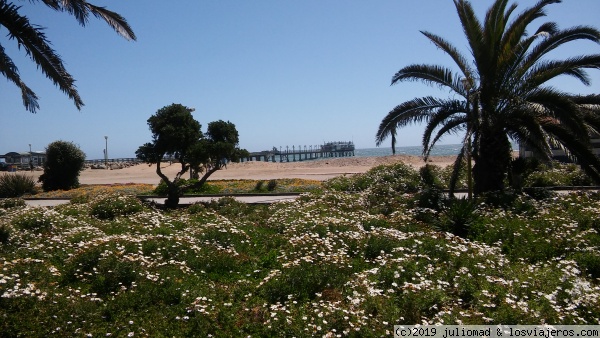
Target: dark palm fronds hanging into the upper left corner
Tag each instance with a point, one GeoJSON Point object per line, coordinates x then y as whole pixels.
{"type": "Point", "coordinates": [33, 40]}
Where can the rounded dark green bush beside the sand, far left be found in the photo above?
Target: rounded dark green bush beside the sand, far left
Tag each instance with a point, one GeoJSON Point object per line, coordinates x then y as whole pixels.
{"type": "Point", "coordinates": [64, 162]}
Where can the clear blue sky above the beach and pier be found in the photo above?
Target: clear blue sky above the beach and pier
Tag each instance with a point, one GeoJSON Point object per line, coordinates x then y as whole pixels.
{"type": "Point", "coordinates": [284, 72]}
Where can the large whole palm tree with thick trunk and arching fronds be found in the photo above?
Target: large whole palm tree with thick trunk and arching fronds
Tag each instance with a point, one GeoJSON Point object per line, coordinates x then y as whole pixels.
{"type": "Point", "coordinates": [504, 92]}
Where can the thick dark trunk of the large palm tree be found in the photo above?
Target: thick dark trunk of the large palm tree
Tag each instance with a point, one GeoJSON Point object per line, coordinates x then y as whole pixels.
{"type": "Point", "coordinates": [492, 160]}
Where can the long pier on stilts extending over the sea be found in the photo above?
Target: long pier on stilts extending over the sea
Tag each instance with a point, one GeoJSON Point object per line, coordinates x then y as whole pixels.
{"type": "Point", "coordinates": [303, 153]}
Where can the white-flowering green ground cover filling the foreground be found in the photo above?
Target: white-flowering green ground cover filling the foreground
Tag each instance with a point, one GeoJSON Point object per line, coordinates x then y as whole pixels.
{"type": "Point", "coordinates": [352, 259]}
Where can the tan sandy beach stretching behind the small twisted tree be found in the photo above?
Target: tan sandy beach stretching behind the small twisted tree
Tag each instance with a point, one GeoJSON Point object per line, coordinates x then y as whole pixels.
{"type": "Point", "coordinates": [321, 169]}
